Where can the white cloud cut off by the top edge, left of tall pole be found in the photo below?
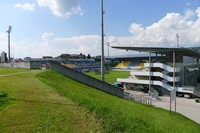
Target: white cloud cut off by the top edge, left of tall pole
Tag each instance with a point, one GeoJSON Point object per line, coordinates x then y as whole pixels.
{"type": "Point", "coordinates": [62, 7]}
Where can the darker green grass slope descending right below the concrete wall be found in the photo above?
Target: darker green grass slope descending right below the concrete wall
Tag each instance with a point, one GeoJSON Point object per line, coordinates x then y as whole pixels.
{"type": "Point", "coordinates": [116, 114]}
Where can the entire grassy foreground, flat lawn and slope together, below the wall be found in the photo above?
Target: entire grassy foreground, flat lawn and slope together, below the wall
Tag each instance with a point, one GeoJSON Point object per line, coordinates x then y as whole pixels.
{"type": "Point", "coordinates": [63, 105]}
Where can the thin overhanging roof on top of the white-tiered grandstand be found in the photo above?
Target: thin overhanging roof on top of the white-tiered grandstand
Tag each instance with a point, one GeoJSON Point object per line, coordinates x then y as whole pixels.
{"type": "Point", "coordinates": [191, 52]}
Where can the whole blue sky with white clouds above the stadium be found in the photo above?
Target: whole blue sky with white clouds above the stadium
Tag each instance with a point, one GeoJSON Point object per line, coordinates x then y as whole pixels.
{"type": "Point", "coordinates": [54, 27]}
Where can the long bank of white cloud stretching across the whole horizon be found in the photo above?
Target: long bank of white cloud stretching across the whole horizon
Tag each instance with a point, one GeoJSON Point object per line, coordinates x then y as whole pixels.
{"type": "Point", "coordinates": [159, 34]}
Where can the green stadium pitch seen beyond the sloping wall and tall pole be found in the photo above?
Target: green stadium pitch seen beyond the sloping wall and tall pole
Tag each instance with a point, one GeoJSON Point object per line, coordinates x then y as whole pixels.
{"type": "Point", "coordinates": [112, 76]}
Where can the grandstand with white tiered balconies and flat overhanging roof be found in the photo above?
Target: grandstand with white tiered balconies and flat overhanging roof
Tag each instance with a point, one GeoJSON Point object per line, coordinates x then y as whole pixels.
{"type": "Point", "coordinates": [171, 68]}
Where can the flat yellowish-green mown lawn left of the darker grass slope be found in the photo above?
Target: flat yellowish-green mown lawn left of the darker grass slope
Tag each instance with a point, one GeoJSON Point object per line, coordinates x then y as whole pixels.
{"type": "Point", "coordinates": [31, 106]}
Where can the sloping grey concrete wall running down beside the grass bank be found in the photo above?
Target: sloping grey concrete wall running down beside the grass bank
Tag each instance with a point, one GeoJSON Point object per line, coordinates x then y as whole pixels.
{"type": "Point", "coordinates": [83, 78]}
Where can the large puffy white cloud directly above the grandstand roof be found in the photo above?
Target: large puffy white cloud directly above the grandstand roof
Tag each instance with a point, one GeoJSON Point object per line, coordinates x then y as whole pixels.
{"type": "Point", "coordinates": [163, 33]}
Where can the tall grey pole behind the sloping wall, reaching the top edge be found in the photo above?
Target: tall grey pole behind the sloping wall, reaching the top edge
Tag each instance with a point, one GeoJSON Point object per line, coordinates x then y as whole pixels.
{"type": "Point", "coordinates": [102, 42]}
